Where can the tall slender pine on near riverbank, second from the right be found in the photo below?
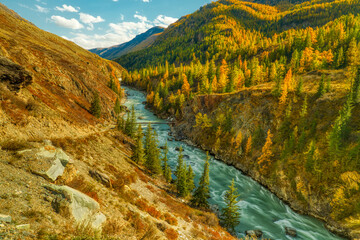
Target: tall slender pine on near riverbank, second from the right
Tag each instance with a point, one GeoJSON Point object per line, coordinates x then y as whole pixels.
{"type": "Point", "coordinates": [202, 193]}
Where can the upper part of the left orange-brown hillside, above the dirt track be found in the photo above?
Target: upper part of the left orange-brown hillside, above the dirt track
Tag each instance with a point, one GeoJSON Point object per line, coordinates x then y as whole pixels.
{"type": "Point", "coordinates": [48, 83]}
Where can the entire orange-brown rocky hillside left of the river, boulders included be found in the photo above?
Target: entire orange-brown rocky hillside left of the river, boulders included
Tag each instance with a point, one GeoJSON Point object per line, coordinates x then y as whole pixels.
{"type": "Point", "coordinates": [66, 173]}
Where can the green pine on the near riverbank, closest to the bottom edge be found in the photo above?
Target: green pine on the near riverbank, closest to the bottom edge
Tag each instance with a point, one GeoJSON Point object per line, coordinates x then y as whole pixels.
{"type": "Point", "coordinates": [230, 216]}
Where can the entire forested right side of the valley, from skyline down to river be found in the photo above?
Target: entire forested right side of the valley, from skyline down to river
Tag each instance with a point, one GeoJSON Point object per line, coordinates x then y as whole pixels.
{"type": "Point", "coordinates": [275, 93]}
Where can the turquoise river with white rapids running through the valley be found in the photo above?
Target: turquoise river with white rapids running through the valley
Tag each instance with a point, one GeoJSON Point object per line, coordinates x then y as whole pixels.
{"type": "Point", "coordinates": [260, 209]}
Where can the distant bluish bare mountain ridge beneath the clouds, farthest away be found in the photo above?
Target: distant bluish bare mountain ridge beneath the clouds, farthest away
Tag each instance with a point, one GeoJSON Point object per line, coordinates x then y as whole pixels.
{"type": "Point", "coordinates": [140, 42]}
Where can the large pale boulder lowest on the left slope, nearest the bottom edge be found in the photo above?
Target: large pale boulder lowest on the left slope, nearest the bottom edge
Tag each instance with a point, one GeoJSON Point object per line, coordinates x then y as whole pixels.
{"type": "Point", "coordinates": [84, 209]}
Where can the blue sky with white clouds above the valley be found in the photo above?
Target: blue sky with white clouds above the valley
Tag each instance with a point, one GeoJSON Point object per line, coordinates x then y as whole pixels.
{"type": "Point", "coordinates": [102, 23]}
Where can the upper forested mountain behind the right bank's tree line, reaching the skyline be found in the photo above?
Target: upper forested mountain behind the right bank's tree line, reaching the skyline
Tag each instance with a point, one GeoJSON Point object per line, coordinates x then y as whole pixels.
{"type": "Point", "coordinates": [217, 29]}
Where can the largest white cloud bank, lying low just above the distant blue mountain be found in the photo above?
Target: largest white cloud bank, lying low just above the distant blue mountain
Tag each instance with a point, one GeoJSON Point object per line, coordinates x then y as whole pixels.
{"type": "Point", "coordinates": [119, 32]}
